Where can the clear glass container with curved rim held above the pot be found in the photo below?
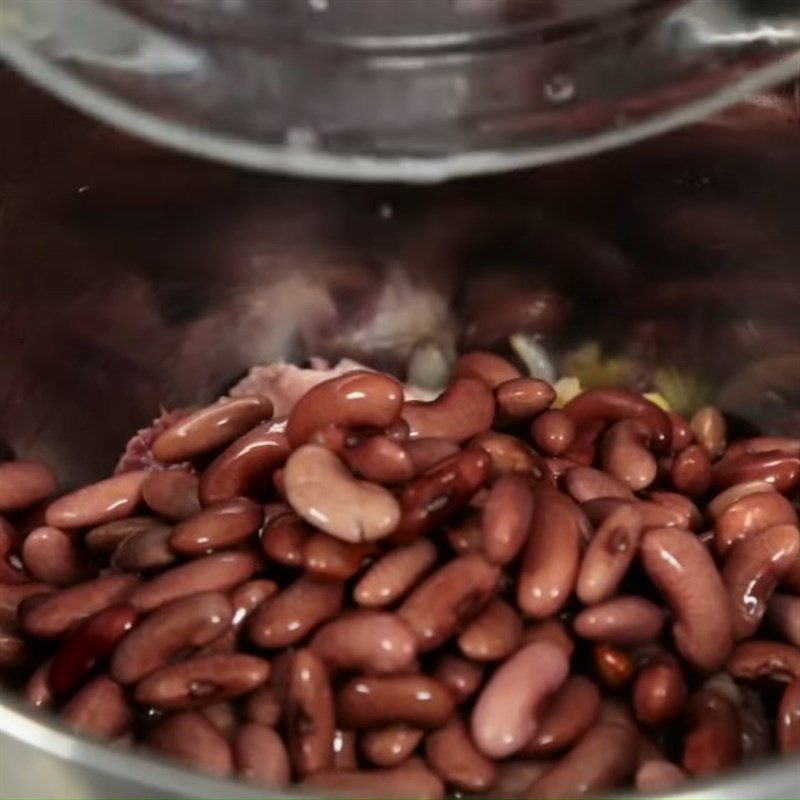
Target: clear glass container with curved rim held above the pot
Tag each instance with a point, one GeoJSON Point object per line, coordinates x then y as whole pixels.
{"type": "Point", "coordinates": [416, 90]}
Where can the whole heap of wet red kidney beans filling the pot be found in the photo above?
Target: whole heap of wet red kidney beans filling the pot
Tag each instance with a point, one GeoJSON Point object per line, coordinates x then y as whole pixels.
{"type": "Point", "coordinates": [485, 594]}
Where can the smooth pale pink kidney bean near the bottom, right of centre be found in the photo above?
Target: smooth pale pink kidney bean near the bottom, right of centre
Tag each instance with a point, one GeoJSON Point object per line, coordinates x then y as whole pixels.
{"type": "Point", "coordinates": [508, 710]}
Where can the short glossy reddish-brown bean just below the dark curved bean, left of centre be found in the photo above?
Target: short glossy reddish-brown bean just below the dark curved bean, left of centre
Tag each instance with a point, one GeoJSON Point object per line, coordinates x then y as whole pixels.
{"type": "Point", "coordinates": [217, 526]}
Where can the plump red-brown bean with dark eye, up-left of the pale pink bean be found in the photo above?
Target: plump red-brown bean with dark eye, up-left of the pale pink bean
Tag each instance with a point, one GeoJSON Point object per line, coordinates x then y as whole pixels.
{"type": "Point", "coordinates": [449, 599]}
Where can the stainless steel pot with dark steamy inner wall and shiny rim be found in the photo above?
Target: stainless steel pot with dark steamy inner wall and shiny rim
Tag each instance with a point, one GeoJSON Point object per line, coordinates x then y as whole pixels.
{"type": "Point", "coordinates": [131, 278]}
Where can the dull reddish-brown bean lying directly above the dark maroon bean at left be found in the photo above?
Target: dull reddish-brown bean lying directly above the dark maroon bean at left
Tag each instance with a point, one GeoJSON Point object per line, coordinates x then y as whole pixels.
{"type": "Point", "coordinates": [61, 611]}
